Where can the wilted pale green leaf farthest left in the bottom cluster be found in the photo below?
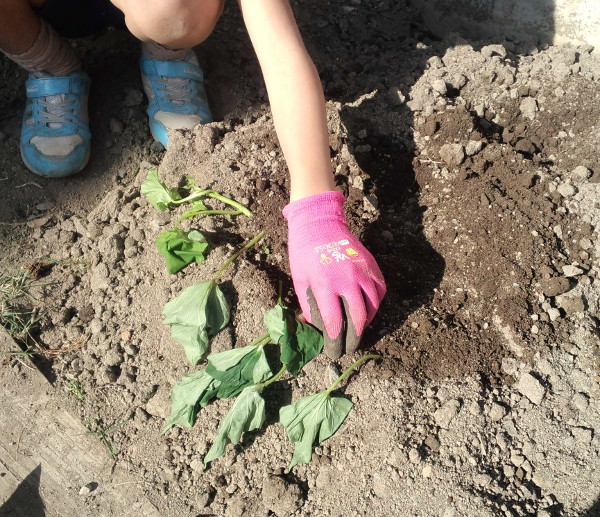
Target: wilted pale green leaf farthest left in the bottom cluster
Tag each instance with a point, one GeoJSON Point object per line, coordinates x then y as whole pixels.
{"type": "Point", "coordinates": [190, 393]}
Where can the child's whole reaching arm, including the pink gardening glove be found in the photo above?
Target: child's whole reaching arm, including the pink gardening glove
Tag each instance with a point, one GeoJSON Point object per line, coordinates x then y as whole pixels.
{"type": "Point", "coordinates": [334, 276]}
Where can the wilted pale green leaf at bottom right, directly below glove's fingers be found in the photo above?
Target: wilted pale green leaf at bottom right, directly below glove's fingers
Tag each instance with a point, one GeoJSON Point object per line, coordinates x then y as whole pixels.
{"type": "Point", "coordinates": [310, 419]}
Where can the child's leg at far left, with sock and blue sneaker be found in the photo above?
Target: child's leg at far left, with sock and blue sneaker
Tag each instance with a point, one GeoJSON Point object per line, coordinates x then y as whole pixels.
{"type": "Point", "coordinates": [55, 138]}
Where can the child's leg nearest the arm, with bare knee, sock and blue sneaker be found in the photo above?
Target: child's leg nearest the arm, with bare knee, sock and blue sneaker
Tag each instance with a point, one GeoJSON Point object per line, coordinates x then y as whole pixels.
{"type": "Point", "coordinates": [172, 77]}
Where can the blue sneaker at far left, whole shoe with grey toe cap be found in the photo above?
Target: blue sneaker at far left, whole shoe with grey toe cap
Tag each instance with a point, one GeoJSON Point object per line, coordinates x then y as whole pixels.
{"type": "Point", "coordinates": [55, 134]}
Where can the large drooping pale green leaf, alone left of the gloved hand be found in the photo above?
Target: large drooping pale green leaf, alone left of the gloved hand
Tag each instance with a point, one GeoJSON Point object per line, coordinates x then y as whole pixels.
{"type": "Point", "coordinates": [196, 315]}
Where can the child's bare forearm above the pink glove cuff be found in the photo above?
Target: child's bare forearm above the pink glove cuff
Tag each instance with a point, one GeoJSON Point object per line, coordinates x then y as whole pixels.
{"type": "Point", "coordinates": [295, 94]}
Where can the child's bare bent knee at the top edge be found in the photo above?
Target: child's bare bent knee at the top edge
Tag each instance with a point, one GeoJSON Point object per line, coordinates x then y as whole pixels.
{"type": "Point", "coordinates": [173, 23]}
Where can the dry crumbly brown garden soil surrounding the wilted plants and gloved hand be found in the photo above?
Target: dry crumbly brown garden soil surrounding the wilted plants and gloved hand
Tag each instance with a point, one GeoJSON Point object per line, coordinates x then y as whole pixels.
{"type": "Point", "coordinates": [471, 172]}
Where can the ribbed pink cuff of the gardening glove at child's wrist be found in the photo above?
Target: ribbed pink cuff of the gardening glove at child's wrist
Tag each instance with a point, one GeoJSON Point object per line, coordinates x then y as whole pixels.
{"type": "Point", "coordinates": [322, 206]}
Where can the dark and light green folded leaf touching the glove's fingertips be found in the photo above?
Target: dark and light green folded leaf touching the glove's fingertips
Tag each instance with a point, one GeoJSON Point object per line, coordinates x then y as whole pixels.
{"type": "Point", "coordinates": [300, 342]}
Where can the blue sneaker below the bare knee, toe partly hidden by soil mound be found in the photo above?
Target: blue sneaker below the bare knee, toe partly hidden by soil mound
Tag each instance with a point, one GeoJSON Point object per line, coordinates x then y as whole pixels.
{"type": "Point", "coordinates": [176, 95]}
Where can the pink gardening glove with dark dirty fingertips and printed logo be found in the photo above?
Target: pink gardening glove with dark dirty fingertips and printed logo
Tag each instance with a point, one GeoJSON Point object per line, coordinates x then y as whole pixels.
{"type": "Point", "coordinates": [336, 279]}
